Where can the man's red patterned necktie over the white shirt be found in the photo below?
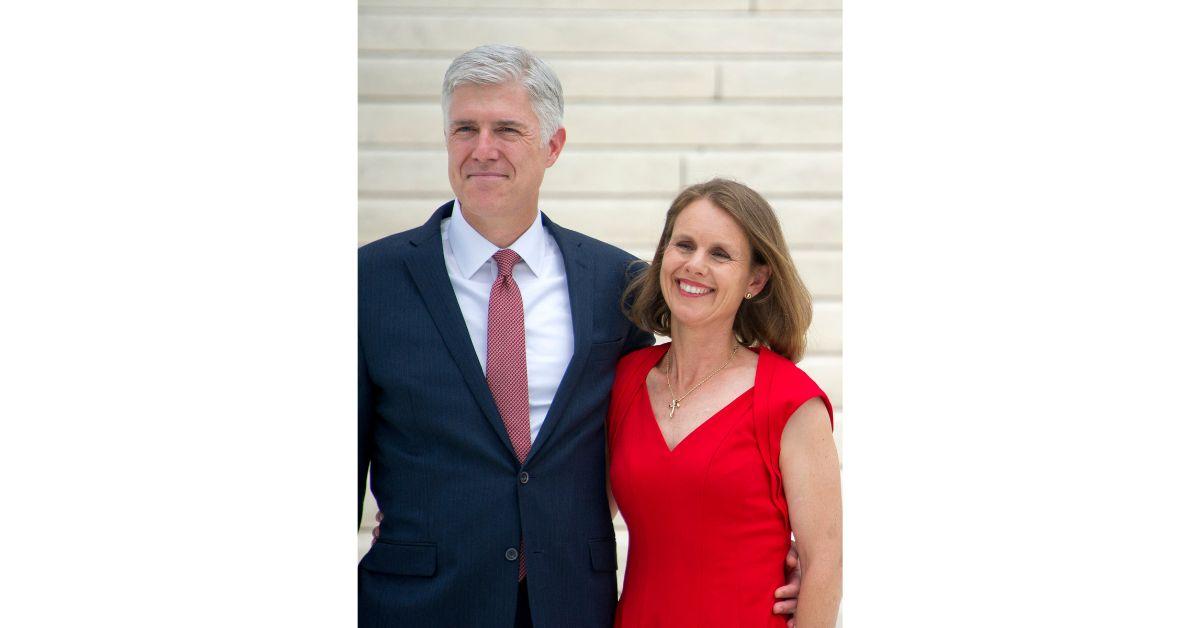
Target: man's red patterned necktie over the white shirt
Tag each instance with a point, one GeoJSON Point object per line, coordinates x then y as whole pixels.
{"type": "Point", "coordinates": [507, 375]}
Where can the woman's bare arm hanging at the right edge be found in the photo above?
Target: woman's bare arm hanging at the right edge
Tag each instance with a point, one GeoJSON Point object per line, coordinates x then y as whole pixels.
{"type": "Point", "coordinates": [808, 460]}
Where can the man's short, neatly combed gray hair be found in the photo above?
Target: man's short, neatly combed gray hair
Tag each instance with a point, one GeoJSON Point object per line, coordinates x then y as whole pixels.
{"type": "Point", "coordinates": [497, 64]}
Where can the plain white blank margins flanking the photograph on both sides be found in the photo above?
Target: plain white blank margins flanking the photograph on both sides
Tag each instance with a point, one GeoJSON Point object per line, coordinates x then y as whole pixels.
{"type": "Point", "coordinates": [177, 250]}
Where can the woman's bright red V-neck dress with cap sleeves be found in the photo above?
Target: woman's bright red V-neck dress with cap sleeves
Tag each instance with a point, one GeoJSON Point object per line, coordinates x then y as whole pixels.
{"type": "Point", "coordinates": [709, 525]}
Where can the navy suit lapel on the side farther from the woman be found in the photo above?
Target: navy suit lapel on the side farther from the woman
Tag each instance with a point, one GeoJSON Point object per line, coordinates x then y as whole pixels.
{"type": "Point", "coordinates": [428, 268]}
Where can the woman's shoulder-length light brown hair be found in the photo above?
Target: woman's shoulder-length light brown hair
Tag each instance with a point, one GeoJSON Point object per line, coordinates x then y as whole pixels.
{"type": "Point", "coordinates": [778, 318]}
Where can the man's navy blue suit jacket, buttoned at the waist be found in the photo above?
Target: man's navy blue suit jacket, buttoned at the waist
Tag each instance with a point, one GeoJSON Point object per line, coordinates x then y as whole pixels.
{"type": "Point", "coordinates": [442, 466]}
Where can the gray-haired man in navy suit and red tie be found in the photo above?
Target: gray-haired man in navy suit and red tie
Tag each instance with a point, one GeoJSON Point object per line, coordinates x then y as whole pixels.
{"type": "Point", "coordinates": [488, 344]}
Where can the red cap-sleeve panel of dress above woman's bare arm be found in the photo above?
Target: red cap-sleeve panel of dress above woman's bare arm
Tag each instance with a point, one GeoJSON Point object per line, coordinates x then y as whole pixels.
{"type": "Point", "coordinates": [781, 388]}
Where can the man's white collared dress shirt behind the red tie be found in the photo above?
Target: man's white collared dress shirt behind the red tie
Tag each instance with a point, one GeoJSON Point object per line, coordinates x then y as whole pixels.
{"type": "Point", "coordinates": [542, 278]}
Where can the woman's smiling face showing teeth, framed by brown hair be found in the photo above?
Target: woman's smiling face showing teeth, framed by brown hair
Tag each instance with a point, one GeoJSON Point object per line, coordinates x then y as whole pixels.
{"type": "Point", "coordinates": [707, 268]}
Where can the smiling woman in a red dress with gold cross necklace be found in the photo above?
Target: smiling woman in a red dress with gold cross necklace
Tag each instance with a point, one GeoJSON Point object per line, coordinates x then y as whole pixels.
{"type": "Point", "coordinates": [721, 447]}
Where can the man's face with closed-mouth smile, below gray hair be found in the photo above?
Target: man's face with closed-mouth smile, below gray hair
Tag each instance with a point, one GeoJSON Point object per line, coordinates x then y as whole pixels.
{"type": "Point", "coordinates": [494, 143]}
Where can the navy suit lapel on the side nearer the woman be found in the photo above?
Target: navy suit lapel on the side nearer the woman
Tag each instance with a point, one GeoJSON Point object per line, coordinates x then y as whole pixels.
{"type": "Point", "coordinates": [580, 280]}
